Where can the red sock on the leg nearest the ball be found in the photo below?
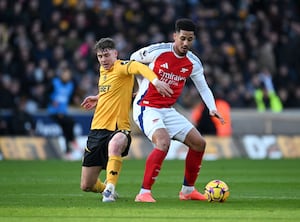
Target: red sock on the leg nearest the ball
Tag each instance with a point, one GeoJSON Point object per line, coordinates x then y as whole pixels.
{"type": "Point", "coordinates": [193, 162]}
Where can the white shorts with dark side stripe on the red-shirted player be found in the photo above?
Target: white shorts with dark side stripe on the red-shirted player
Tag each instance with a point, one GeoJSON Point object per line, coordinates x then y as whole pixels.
{"type": "Point", "coordinates": [150, 119]}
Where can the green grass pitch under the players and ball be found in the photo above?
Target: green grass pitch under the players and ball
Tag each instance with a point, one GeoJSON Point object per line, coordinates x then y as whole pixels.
{"type": "Point", "coordinates": [260, 190]}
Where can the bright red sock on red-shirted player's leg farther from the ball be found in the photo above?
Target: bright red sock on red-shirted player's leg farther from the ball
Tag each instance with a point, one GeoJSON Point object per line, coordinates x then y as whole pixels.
{"type": "Point", "coordinates": [152, 167]}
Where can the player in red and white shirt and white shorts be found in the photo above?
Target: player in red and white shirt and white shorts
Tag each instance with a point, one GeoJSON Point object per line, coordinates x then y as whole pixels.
{"type": "Point", "coordinates": [154, 114]}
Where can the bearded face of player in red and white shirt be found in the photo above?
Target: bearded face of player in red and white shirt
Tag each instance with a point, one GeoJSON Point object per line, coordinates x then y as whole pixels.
{"type": "Point", "coordinates": [183, 41]}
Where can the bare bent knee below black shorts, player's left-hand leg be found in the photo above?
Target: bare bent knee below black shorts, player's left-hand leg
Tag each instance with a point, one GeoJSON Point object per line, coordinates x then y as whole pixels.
{"type": "Point", "coordinates": [89, 175]}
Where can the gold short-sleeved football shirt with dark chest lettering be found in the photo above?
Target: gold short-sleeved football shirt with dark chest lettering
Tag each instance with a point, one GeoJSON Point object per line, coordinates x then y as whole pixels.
{"type": "Point", "coordinates": [115, 94]}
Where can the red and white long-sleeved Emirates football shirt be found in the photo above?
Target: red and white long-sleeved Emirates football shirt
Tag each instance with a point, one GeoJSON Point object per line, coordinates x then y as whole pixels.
{"type": "Point", "coordinates": [173, 70]}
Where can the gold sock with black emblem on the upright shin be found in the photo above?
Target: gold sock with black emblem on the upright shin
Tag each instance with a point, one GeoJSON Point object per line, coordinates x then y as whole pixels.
{"type": "Point", "coordinates": [113, 169]}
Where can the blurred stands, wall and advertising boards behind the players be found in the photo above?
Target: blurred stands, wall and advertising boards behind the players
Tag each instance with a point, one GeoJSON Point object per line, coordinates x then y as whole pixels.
{"type": "Point", "coordinates": [240, 43]}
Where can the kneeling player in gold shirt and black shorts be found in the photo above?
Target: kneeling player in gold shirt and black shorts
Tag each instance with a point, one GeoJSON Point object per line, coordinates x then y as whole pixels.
{"type": "Point", "coordinates": [109, 138]}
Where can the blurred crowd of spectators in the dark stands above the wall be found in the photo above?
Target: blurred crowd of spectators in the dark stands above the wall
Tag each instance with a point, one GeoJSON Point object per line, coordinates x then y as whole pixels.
{"type": "Point", "coordinates": [244, 45]}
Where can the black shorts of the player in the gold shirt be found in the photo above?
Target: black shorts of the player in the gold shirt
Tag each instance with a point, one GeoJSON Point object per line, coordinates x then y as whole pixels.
{"type": "Point", "coordinates": [96, 151]}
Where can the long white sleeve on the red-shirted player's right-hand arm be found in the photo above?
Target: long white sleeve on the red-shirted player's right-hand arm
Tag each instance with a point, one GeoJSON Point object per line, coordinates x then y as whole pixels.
{"type": "Point", "coordinates": [203, 89]}
